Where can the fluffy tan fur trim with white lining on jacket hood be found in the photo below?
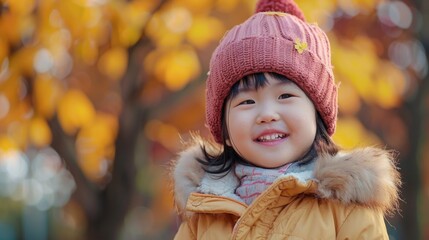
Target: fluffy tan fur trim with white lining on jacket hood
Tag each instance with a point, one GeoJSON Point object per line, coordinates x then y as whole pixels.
{"type": "Point", "coordinates": [366, 176]}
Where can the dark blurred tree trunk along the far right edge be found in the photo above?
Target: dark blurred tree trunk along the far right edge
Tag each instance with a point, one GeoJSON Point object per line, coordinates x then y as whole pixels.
{"type": "Point", "coordinates": [410, 161]}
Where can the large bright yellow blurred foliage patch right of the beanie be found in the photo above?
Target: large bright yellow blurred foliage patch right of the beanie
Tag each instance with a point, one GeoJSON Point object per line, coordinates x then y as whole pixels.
{"type": "Point", "coordinates": [375, 80]}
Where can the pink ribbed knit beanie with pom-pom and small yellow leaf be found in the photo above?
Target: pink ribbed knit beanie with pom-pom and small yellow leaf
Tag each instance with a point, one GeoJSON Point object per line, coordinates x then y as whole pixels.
{"type": "Point", "coordinates": [275, 39]}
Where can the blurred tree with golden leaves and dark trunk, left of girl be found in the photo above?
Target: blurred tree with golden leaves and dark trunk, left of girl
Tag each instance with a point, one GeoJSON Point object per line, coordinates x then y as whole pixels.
{"type": "Point", "coordinates": [85, 76]}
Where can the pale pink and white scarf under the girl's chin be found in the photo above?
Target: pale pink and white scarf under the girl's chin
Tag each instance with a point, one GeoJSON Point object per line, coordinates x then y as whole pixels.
{"type": "Point", "coordinates": [254, 180]}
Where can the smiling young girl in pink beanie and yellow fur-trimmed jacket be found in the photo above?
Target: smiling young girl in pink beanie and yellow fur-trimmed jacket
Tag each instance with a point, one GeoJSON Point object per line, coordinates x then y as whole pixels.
{"type": "Point", "coordinates": [274, 172]}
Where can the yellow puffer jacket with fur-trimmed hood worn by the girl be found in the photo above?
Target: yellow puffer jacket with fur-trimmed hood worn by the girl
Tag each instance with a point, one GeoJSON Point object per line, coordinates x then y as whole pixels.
{"type": "Point", "coordinates": [343, 197]}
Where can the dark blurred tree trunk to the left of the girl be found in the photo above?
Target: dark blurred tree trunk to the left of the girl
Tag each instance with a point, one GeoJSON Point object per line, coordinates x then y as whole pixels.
{"type": "Point", "coordinates": [116, 198]}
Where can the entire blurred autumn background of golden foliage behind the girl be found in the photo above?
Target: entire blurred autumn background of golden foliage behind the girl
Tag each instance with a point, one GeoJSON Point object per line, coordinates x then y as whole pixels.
{"type": "Point", "coordinates": [97, 95]}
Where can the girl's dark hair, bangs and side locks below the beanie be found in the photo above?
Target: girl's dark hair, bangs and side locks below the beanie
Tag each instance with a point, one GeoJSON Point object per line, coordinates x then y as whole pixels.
{"type": "Point", "coordinates": [223, 163]}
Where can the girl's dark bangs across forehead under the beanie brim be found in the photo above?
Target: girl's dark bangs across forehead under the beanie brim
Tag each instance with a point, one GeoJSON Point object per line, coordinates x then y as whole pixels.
{"type": "Point", "coordinates": [254, 82]}
